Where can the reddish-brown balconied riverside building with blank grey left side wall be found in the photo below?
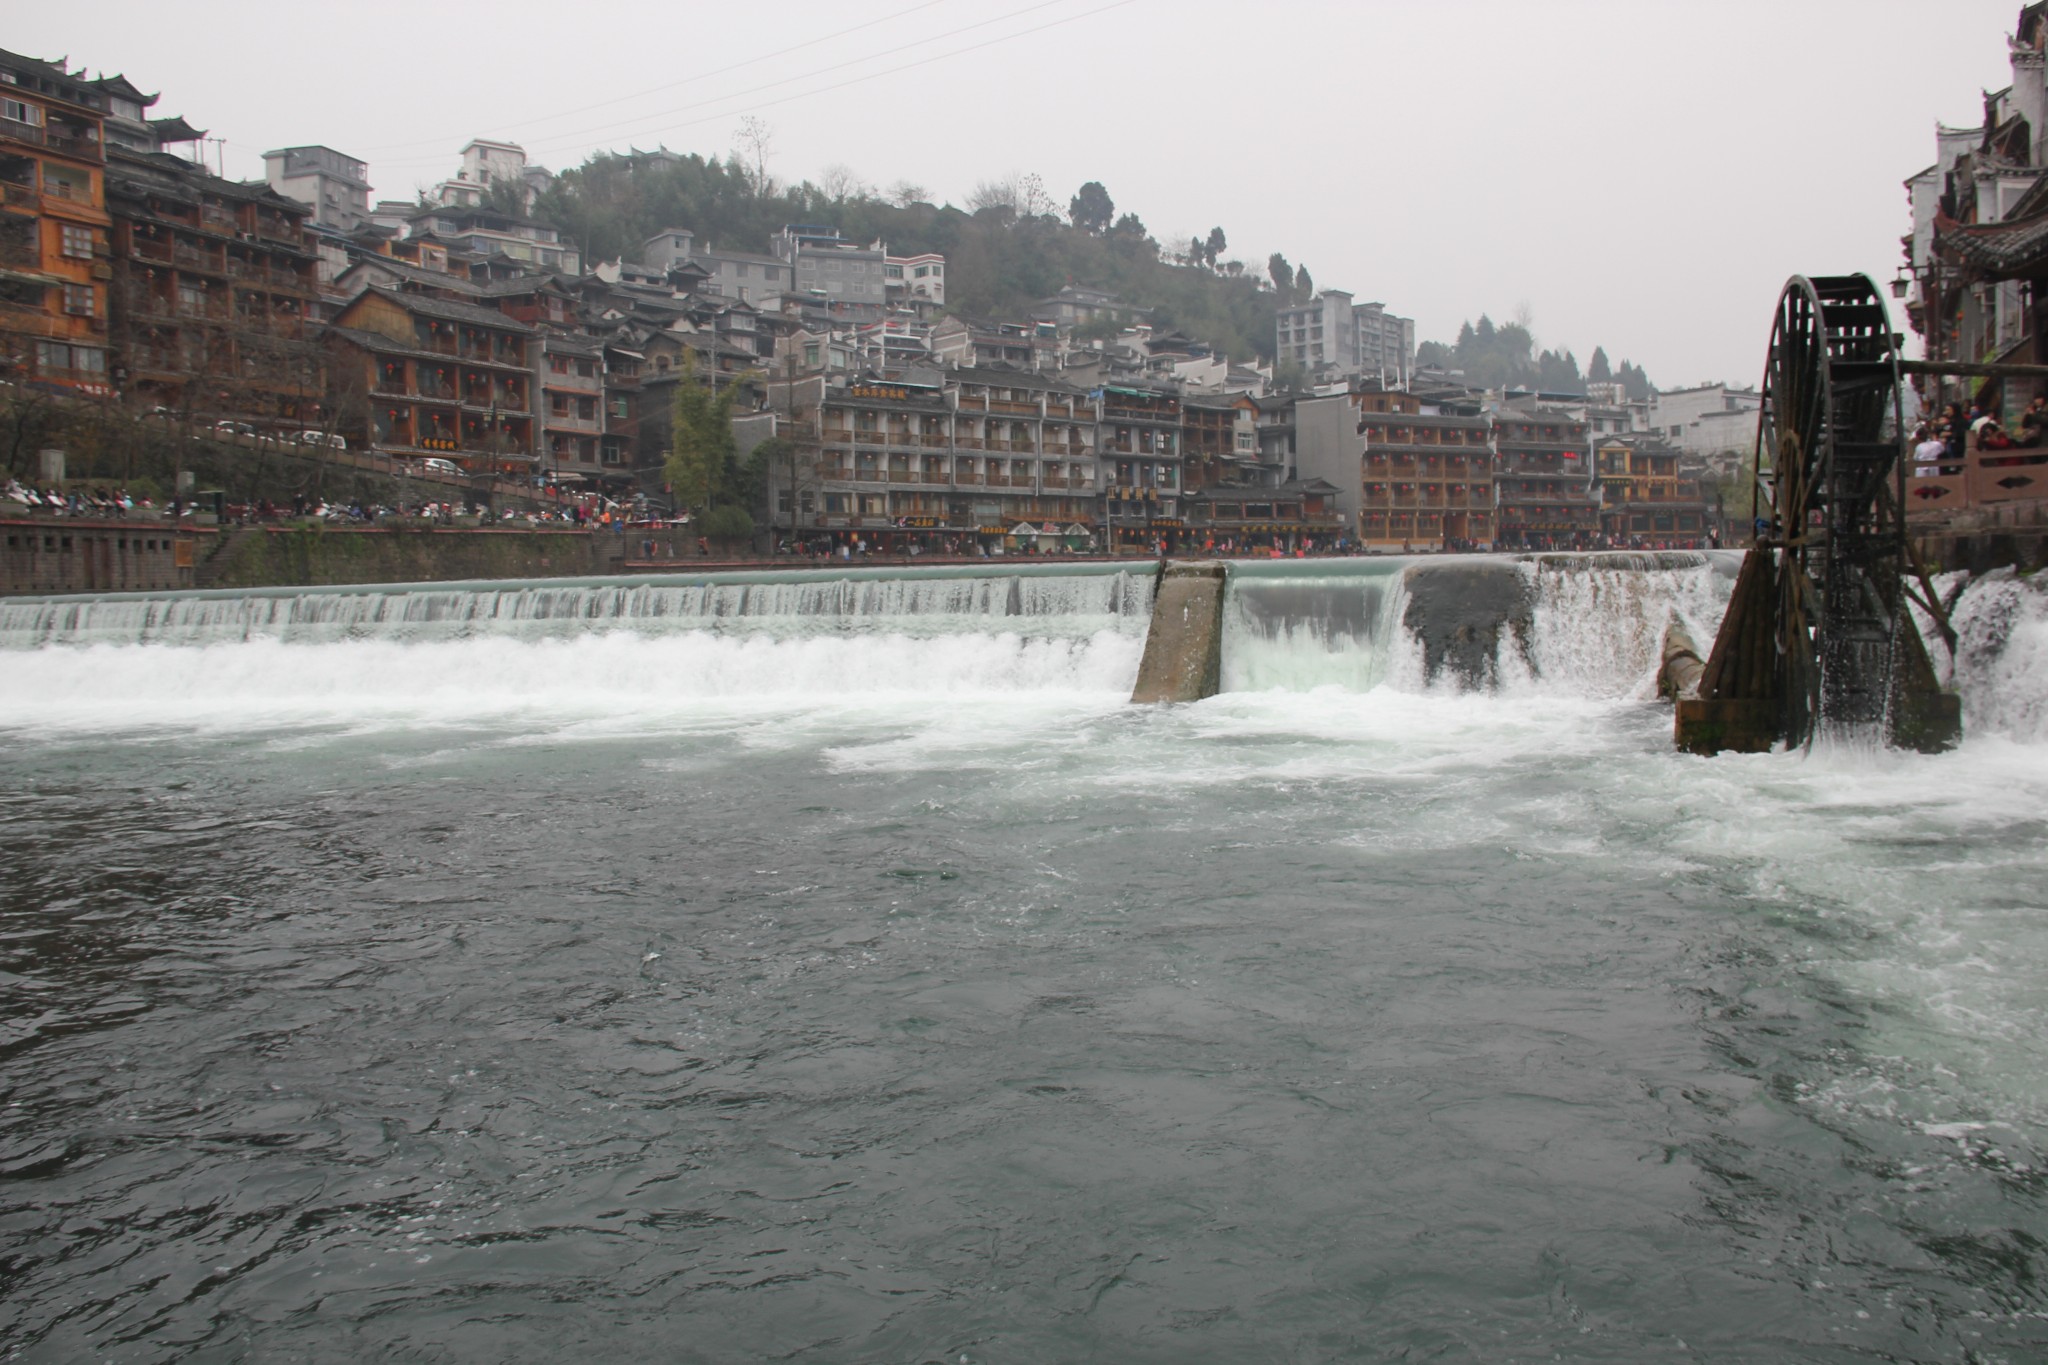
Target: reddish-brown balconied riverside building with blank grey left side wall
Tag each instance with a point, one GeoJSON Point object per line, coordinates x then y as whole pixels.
{"type": "Point", "coordinates": [1410, 476]}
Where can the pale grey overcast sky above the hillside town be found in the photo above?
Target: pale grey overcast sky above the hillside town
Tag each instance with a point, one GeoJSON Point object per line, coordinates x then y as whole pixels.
{"type": "Point", "coordinates": [1639, 175]}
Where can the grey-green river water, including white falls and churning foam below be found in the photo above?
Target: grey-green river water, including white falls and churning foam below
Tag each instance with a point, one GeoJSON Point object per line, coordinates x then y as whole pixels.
{"type": "Point", "coordinates": [843, 971]}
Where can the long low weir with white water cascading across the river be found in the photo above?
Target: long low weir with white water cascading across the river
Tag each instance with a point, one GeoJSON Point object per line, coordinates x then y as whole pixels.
{"type": "Point", "coordinates": [1580, 627]}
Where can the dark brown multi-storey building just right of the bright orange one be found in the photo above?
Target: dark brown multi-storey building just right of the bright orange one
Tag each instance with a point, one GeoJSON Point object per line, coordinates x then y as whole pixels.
{"type": "Point", "coordinates": [214, 294]}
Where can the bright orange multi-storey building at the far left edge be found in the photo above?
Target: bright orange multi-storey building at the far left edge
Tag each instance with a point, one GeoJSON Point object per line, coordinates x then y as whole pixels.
{"type": "Point", "coordinates": [54, 228]}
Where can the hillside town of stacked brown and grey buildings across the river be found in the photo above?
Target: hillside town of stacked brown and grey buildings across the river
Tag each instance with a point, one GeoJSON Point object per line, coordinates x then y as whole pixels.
{"type": "Point", "coordinates": [466, 339]}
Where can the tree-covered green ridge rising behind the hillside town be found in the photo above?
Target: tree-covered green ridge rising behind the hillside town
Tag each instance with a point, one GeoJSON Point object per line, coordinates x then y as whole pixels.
{"type": "Point", "coordinates": [1009, 249]}
